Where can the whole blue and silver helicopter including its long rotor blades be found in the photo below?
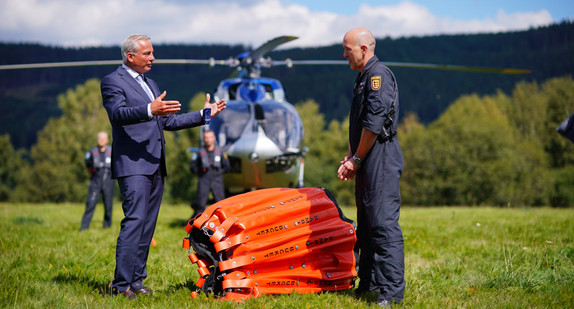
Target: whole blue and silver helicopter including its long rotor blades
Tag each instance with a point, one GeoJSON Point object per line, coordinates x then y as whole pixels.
{"type": "Point", "coordinates": [260, 131]}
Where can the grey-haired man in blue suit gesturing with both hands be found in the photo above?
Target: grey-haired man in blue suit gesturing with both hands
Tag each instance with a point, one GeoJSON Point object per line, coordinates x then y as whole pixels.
{"type": "Point", "coordinates": [139, 115]}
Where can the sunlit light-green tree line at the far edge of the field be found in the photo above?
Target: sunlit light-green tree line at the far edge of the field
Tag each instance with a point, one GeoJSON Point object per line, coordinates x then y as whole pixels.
{"type": "Point", "coordinates": [497, 149]}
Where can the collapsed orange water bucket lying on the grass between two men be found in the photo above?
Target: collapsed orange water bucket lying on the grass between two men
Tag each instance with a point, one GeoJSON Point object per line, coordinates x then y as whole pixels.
{"type": "Point", "coordinates": [272, 241]}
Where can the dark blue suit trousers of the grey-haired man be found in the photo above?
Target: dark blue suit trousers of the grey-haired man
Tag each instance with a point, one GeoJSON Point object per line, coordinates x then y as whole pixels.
{"type": "Point", "coordinates": [142, 199]}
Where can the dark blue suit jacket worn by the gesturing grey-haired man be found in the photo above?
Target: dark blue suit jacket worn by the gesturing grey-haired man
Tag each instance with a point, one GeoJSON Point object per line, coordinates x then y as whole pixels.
{"type": "Point", "coordinates": [138, 142]}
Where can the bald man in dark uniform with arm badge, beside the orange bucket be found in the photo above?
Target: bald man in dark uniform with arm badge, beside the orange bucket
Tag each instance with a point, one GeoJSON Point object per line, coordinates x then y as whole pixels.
{"type": "Point", "coordinates": [375, 160]}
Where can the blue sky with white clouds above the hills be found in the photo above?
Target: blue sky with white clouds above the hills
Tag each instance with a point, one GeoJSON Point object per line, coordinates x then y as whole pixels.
{"type": "Point", "coordinates": [253, 22]}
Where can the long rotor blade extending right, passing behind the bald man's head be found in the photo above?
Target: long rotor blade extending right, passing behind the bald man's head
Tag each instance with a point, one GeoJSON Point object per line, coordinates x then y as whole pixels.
{"type": "Point", "coordinates": [447, 67]}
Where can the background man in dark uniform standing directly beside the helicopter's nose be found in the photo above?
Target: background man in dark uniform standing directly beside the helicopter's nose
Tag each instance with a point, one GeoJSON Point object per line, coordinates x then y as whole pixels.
{"type": "Point", "coordinates": [209, 164]}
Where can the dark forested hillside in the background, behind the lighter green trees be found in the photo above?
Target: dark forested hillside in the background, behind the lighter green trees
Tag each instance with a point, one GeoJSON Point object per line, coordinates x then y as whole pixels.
{"type": "Point", "coordinates": [30, 96]}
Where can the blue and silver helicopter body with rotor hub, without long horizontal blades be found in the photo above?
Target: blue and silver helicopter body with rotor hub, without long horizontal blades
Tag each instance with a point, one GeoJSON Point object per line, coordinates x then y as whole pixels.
{"type": "Point", "coordinates": [260, 131]}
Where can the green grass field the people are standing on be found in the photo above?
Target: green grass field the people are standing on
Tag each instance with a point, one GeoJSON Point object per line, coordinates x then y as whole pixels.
{"type": "Point", "coordinates": [455, 258]}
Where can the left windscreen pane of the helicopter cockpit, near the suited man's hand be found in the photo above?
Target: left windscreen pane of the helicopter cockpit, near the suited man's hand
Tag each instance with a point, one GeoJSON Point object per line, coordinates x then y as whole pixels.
{"type": "Point", "coordinates": [229, 125]}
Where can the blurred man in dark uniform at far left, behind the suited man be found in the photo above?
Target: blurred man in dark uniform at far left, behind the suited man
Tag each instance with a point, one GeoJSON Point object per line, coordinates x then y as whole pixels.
{"type": "Point", "coordinates": [98, 163]}
